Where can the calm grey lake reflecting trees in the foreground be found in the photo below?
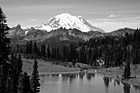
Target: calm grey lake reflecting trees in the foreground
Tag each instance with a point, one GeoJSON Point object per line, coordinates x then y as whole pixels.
{"type": "Point", "coordinates": [83, 83]}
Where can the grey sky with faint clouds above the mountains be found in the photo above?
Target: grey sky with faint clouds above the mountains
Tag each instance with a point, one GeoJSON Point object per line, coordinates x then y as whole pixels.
{"type": "Point", "coordinates": [109, 15]}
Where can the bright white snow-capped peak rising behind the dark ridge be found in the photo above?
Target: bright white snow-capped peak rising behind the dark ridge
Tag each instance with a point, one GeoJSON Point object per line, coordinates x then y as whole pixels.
{"type": "Point", "coordinates": [68, 21]}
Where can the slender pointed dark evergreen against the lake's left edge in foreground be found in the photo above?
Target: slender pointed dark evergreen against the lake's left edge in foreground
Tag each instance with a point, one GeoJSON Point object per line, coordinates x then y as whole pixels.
{"type": "Point", "coordinates": [35, 78]}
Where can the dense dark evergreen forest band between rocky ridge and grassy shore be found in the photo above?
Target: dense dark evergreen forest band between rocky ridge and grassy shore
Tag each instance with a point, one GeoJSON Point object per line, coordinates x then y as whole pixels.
{"type": "Point", "coordinates": [111, 51]}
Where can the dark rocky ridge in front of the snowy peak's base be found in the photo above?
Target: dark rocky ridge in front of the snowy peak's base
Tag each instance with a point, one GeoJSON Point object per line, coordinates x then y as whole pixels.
{"type": "Point", "coordinates": [61, 34]}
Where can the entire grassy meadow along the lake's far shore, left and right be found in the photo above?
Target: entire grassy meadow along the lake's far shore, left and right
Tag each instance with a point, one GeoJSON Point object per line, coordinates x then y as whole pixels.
{"type": "Point", "coordinates": [46, 67]}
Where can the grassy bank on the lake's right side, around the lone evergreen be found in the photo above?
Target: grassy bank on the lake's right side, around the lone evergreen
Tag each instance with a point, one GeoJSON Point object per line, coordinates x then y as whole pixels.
{"type": "Point", "coordinates": [117, 72]}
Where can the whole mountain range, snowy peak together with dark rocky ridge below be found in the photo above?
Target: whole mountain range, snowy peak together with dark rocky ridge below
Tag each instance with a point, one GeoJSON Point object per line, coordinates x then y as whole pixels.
{"type": "Point", "coordinates": [63, 32]}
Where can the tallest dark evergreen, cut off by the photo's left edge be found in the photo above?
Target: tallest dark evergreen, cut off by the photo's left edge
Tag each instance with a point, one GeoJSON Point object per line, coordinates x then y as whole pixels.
{"type": "Point", "coordinates": [4, 52]}
